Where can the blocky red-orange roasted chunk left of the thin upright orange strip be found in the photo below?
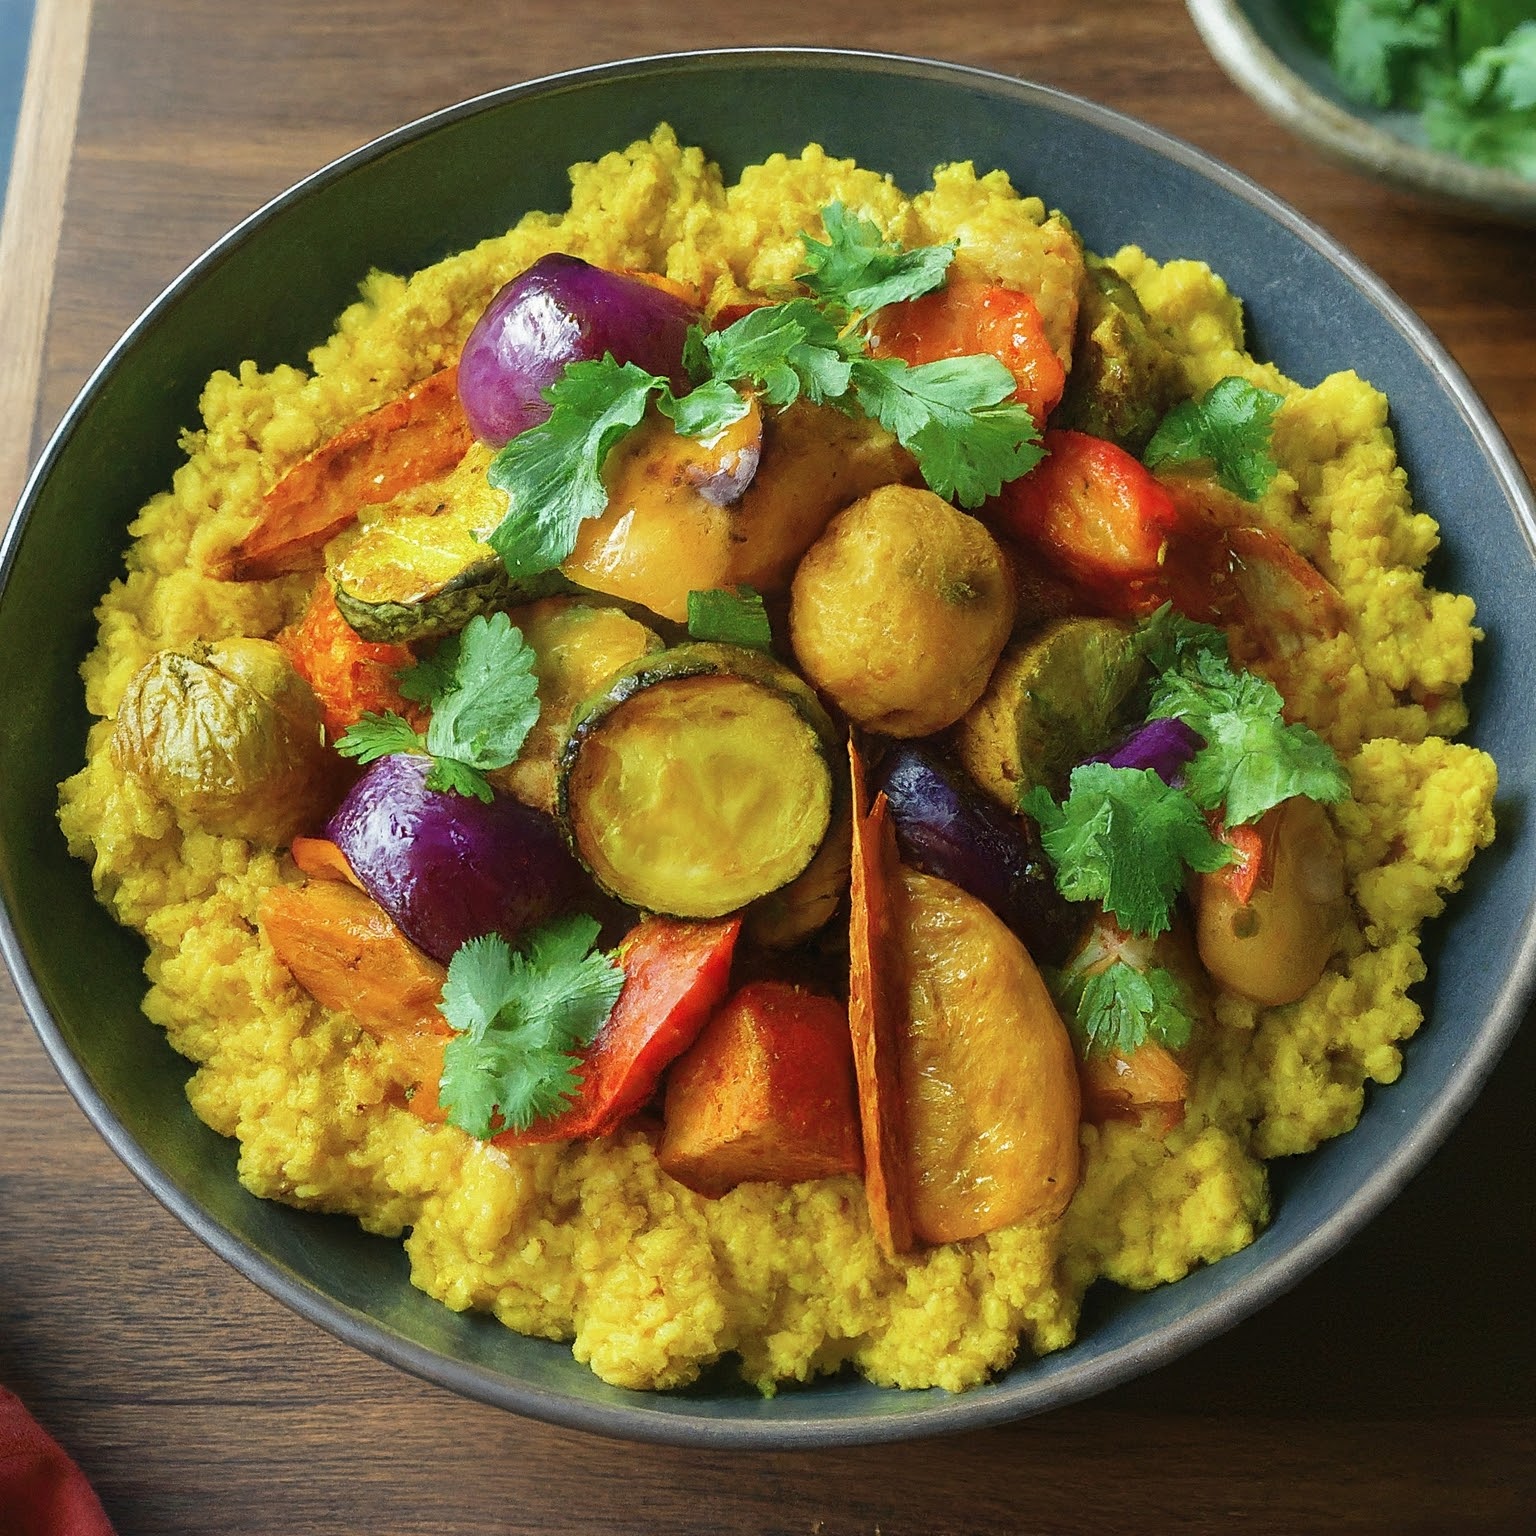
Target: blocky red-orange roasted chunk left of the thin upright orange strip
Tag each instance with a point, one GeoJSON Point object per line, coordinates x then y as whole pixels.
{"type": "Point", "coordinates": [764, 1094]}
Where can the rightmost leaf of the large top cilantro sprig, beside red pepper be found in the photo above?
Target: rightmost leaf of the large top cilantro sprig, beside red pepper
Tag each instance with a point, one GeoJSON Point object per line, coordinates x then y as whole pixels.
{"type": "Point", "coordinates": [958, 419]}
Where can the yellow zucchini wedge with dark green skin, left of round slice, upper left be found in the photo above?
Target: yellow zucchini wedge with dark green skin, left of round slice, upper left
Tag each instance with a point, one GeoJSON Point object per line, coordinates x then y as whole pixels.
{"type": "Point", "coordinates": [423, 569]}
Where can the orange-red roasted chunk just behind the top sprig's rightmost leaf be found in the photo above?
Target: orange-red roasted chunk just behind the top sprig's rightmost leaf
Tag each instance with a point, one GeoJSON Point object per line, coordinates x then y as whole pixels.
{"type": "Point", "coordinates": [967, 319]}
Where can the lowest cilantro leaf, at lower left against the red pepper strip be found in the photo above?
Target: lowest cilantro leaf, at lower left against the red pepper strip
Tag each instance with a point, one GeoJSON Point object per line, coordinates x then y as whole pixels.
{"type": "Point", "coordinates": [521, 1021]}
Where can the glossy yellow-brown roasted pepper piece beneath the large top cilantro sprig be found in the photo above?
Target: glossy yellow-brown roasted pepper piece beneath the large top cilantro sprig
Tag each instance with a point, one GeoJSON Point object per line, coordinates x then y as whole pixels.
{"type": "Point", "coordinates": [663, 537]}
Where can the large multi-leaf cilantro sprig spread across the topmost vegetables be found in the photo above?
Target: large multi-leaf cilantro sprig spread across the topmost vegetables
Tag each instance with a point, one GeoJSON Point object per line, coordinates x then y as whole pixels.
{"type": "Point", "coordinates": [956, 417]}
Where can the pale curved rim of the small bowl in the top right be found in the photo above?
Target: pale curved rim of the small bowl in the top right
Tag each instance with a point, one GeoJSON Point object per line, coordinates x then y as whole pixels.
{"type": "Point", "coordinates": [1346, 137]}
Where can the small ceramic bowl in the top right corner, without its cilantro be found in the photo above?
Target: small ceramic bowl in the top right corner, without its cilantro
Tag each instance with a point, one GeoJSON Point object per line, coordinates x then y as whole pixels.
{"type": "Point", "coordinates": [1262, 47]}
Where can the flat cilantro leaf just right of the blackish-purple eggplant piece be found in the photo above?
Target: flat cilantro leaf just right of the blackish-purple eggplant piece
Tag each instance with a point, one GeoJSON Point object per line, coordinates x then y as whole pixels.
{"type": "Point", "coordinates": [1125, 838]}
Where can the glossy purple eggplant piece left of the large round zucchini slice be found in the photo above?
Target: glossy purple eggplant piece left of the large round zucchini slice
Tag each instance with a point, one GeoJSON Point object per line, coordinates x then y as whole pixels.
{"type": "Point", "coordinates": [448, 867]}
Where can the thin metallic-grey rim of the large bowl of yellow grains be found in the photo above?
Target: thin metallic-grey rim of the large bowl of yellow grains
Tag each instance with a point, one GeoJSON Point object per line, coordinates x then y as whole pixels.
{"type": "Point", "coordinates": [932, 1412]}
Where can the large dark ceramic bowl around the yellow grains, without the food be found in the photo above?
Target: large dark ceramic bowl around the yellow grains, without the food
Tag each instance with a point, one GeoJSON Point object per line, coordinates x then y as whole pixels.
{"type": "Point", "coordinates": [273, 290]}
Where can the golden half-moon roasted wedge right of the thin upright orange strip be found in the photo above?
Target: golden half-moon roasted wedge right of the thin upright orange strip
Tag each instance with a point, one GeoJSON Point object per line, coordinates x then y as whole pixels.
{"type": "Point", "coordinates": [988, 1078]}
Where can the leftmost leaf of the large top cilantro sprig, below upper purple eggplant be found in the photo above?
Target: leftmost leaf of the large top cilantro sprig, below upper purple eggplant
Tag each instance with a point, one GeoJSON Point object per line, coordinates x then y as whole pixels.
{"type": "Point", "coordinates": [554, 472]}
